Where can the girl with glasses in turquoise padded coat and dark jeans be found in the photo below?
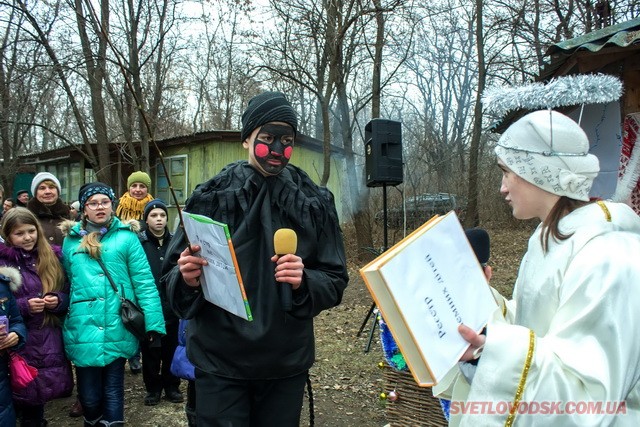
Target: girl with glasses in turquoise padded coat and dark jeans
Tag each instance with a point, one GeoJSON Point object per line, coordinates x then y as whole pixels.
{"type": "Point", "coordinates": [95, 339]}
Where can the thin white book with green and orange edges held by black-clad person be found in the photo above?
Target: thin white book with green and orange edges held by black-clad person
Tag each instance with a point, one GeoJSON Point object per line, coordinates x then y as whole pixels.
{"type": "Point", "coordinates": [221, 279]}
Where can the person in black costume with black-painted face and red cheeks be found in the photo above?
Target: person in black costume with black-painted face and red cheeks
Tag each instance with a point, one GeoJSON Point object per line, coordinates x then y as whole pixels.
{"type": "Point", "coordinates": [254, 373]}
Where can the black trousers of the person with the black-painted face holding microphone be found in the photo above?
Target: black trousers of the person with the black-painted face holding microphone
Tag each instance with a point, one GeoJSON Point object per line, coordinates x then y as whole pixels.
{"type": "Point", "coordinates": [249, 403]}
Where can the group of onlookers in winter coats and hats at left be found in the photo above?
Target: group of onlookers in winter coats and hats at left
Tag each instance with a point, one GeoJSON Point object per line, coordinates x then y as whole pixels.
{"type": "Point", "coordinates": [56, 311]}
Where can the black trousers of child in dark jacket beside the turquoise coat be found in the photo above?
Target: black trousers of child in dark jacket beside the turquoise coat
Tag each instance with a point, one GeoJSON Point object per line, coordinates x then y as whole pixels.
{"type": "Point", "coordinates": [156, 362]}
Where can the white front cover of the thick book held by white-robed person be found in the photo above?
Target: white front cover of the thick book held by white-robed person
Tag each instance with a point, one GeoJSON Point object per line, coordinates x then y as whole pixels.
{"type": "Point", "coordinates": [437, 284]}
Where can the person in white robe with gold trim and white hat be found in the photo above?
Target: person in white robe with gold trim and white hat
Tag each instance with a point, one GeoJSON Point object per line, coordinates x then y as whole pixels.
{"type": "Point", "coordinates": [565, 351]}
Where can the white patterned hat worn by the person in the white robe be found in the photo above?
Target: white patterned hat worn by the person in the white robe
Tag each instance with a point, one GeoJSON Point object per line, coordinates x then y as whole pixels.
{"type": "Point", "coordinates": [551, 151]}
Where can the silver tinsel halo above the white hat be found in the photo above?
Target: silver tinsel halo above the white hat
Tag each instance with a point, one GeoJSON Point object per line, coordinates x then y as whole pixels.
{"type": "Point", "coordinates": [559, 92]}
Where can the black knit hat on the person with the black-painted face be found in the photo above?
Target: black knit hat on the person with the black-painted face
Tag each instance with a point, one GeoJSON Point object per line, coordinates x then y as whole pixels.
{"type": "Point", "coordinates": [265, 108]}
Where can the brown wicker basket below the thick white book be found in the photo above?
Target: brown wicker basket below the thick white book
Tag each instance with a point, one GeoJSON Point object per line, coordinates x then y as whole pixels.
{"type": "Point", "coordinates": [414, 406]}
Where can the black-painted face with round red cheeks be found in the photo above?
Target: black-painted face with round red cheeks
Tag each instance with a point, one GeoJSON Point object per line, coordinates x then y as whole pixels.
{"type": "Point", "coordinates": [273, 147]}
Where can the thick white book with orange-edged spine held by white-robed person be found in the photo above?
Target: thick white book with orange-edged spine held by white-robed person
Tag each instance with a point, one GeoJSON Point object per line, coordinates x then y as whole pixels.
{"type": "Point", "coordinates": [425, 286]}
